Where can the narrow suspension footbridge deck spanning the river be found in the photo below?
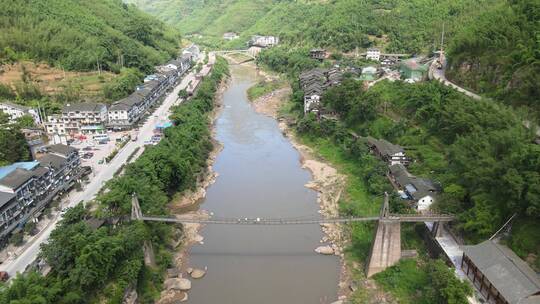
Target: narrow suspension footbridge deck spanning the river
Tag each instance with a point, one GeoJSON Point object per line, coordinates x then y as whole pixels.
{"type": "Point", "coordinates": [284, 221]}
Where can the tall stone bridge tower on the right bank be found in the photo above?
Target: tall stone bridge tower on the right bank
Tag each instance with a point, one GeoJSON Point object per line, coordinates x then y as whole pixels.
{"type": "Point", "coordinates": [386, 246]}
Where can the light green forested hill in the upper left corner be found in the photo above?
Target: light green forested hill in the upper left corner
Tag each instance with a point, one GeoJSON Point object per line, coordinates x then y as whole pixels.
{"type": "Point", "coordinates": [77, 35]}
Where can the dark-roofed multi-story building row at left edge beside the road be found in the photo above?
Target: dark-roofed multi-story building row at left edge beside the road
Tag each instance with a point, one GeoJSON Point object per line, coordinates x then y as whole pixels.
{"type": "Point", "coordinates": [27, 187]}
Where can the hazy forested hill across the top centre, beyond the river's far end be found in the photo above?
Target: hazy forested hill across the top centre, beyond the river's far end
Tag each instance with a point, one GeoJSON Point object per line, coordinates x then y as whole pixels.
{"type": "Point", "coordinates": [396, 25]}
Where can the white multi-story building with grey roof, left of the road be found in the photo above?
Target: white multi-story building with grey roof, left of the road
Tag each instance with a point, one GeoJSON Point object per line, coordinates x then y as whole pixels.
{"type": "Point", "coordinates": [78, 119]}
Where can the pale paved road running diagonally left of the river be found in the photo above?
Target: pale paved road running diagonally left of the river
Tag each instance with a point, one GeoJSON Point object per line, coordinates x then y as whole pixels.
{"type": "Point", "coordinates": [19, 263]}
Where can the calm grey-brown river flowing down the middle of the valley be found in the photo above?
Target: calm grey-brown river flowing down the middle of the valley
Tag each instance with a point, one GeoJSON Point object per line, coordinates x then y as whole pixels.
{"type": "Point", "coordinates": [259, 175]}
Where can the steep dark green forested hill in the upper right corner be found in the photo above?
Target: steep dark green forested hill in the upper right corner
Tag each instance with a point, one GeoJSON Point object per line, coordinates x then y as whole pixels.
{"type": "Point", "coordinates": [498, 53]}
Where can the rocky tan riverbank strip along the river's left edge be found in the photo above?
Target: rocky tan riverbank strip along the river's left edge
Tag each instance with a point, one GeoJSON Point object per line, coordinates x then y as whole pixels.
{"type": "Point", "coordinates": [186, 204]}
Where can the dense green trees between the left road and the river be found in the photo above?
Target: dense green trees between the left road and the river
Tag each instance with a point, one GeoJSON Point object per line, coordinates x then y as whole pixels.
{"type": "Point", "coordinates": [97, 265]}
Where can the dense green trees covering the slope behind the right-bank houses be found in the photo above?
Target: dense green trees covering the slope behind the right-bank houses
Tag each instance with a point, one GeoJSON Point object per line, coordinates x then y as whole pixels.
{"type": "Point", "coordinates": [479, 150]}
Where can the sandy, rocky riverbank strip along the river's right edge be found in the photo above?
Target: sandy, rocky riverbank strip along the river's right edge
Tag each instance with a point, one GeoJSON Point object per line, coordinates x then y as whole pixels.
{"type": "Point", "coordinates": [326, 181]}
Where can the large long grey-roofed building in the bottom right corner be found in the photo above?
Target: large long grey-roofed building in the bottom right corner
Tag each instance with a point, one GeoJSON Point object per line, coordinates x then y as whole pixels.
{"type": "Point", "coordinates": [500, 275]}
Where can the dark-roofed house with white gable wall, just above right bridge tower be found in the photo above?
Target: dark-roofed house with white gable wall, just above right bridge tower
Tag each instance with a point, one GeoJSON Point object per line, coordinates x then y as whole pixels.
{"type": "Point", "coordinates": [420, 190]}
